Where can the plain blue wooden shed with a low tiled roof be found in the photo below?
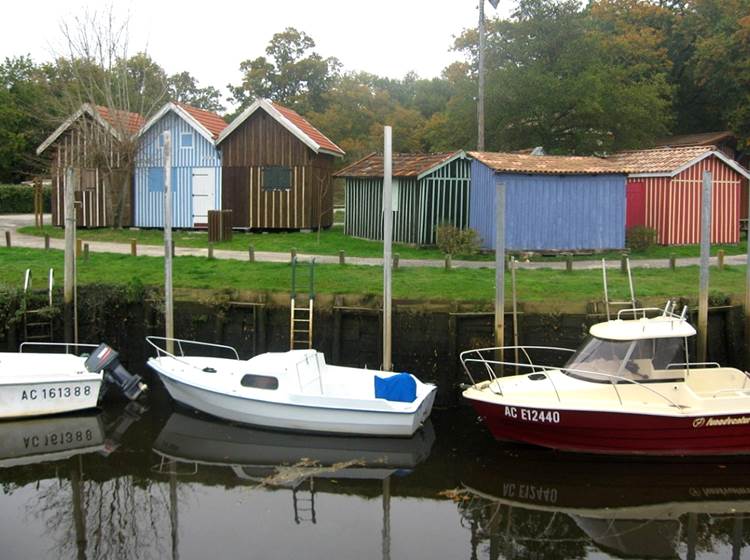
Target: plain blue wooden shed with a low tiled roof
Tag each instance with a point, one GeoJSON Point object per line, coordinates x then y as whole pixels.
{"type": "Point", "coordinates": [552, 203]}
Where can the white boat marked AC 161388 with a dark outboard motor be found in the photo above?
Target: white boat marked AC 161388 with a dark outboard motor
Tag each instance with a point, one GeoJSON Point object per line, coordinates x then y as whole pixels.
{"type": "Point", "coordinates": [58, 380]}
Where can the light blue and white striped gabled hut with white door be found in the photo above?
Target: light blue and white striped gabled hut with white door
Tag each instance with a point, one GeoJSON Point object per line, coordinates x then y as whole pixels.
{"type": "Point", "coordinates": [196, 167]}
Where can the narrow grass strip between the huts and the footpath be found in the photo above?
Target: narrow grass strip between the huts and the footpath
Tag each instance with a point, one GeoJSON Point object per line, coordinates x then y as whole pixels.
{"type": "Point", "coordinates": [333, 240]}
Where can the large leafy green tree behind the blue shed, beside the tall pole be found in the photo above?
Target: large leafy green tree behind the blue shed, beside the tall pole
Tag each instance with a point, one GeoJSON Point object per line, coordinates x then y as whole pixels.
{"type": "Point", "coordinates": [552, 82]}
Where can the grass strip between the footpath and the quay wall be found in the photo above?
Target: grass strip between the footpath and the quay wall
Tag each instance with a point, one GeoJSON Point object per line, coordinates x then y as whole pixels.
{"type": "Point", "coordinates": [408, 283]}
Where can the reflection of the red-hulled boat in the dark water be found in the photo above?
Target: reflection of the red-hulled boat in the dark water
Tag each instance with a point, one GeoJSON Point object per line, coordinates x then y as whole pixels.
{"type": "Point", "coordinates": [556, 505]}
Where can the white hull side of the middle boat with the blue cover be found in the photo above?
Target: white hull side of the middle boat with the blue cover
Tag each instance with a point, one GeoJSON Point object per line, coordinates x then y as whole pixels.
{"type": "Point", "coordinates": [296, 417]}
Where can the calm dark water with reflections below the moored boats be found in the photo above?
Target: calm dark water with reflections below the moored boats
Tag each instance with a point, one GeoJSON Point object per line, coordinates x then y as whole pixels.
{"type": "Point", "coordinates": [169, 483]}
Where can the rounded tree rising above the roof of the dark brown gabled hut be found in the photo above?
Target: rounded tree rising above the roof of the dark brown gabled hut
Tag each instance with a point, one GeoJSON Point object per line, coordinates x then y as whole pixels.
{"type": "Point", "coordinates": [293, 74]}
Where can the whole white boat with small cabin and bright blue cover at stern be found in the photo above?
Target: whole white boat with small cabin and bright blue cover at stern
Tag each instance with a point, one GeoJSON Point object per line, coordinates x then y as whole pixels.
{"type": "Point", "coordinates": [293, 390]}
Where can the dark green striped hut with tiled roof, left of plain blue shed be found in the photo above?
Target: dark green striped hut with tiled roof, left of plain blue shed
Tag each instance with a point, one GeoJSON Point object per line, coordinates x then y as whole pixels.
{"type": "Point", "coordinates": [428, 190]}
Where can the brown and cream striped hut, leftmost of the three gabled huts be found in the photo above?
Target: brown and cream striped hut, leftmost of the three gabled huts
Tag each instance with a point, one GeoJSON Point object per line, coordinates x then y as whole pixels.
{"type": "Point", "coordinates": [91, 142]}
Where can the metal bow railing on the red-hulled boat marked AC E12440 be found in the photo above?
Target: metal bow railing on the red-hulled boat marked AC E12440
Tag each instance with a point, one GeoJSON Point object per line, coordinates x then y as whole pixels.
{"type": "Point", "coordinates": [490, 364]}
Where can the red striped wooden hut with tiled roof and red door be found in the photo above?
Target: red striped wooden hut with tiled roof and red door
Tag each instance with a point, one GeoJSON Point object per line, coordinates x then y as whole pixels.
{"type": "Point", "coordinates": [664, 192]}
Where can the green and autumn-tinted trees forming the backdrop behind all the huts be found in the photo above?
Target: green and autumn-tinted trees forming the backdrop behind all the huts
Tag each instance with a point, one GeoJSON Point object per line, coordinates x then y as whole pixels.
{"type": "Point", "coordinates": [572, 77]}
